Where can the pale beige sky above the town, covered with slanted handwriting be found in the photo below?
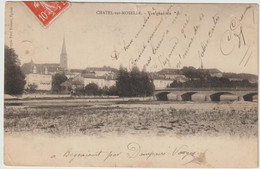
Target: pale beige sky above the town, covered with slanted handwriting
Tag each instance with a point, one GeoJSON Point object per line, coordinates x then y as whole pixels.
{"type": "Point", "coordinates": [217, 36]}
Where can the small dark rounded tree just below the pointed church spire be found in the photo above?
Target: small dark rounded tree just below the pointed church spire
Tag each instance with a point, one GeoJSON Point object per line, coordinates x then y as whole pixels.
{"type": "Point", "coordinates": [57, 80]}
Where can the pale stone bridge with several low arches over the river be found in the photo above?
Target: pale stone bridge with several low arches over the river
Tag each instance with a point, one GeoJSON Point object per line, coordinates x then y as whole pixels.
{"type": "Point", "coordinates": [183, 94]}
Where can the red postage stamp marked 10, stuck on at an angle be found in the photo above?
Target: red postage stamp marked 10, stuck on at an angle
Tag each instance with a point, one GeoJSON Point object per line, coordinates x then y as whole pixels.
{"type": "Point", "coordinates": [46, 11]}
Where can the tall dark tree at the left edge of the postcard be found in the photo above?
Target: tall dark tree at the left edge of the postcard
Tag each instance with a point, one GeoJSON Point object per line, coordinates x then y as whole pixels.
{"type": "Point", "coordinates": [14, 79]}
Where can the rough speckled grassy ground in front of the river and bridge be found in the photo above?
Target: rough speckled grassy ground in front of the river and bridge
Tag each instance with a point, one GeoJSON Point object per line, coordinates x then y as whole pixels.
{"type": "Point", "coordinates": [134, 118]}
